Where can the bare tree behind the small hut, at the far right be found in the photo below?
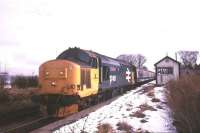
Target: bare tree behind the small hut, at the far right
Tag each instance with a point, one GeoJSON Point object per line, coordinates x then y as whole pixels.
{"type": "Point", "coordinates": [188, 58]}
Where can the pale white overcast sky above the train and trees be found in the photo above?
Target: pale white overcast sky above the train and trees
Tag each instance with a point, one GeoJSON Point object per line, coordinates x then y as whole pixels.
{"type": "Point", "coordinates": [34, 31]}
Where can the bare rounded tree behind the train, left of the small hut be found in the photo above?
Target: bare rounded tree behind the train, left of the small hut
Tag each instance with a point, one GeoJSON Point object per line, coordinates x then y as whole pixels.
{"type": "Point", "coordinates": [138, 60]}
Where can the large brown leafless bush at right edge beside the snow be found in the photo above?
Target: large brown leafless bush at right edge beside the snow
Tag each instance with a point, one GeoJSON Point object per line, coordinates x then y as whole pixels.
{"type": "Point", "coordinates": [183, 98]}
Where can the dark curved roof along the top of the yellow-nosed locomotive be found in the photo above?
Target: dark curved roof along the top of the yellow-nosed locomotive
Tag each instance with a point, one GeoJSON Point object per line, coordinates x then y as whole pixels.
{"type": "Point", "coordinates": [72, 52]}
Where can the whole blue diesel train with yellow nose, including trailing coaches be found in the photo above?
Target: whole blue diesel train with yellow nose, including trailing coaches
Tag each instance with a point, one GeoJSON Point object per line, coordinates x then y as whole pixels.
{"type": "Point", "coordinates": [79, 78]}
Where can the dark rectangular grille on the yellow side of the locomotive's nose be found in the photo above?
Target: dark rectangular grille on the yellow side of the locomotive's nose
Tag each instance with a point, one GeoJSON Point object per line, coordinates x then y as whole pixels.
{"type": "Point", "coordinates": [85, 78]}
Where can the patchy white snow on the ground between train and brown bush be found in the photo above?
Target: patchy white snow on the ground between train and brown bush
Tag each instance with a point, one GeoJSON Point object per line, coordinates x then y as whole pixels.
{"type": "Point", "coordinates": [155, 115]}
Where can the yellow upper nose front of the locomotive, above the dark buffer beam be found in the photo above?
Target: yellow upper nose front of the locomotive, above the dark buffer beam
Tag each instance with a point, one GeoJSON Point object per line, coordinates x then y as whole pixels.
{"type": "Point", "coordinates": [59, 77]}
